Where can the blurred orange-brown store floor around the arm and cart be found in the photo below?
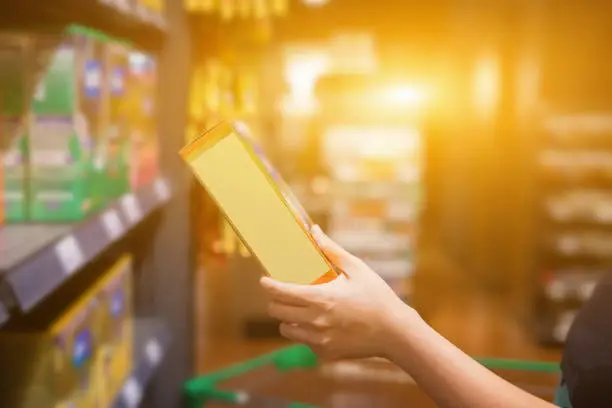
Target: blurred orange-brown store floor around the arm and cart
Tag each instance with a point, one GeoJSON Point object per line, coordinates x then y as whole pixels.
{"type": "Point", "coordinates": [481, 323]}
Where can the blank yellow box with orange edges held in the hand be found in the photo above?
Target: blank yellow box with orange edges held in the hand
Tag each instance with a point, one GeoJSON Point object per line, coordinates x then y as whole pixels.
{"type": "Point", "coordinates": [258, 204]}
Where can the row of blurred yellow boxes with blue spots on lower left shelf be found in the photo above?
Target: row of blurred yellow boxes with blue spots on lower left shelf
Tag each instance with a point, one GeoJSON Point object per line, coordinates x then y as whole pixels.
{"type": "Point", "coordinates": [82, 358]}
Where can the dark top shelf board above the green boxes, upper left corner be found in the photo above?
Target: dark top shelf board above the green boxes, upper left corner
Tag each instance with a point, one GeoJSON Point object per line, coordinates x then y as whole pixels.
{"type": "Point", "coordinates": [119, 18]}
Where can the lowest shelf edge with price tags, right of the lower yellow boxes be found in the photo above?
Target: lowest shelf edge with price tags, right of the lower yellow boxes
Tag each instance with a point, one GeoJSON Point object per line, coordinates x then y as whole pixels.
{"type": "Point", "coordinates": [153, 339]}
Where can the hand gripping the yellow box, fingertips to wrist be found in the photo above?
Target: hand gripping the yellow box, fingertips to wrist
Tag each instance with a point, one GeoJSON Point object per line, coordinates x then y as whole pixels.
{"type": "Point", "coordinates": [354, 316]}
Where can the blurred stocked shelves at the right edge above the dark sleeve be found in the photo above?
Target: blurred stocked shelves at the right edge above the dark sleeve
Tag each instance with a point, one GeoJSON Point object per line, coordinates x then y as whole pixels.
{"type": "Point", "coordinates": [575, 164]}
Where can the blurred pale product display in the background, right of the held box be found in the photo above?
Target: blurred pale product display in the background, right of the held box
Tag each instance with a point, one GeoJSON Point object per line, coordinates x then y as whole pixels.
{"type": "Point", "coordinates": [376, 195]}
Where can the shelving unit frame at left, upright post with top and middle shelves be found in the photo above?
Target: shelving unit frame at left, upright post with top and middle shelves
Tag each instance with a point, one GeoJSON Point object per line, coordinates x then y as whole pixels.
{"type": "Point", "coordinates": [39, 263]}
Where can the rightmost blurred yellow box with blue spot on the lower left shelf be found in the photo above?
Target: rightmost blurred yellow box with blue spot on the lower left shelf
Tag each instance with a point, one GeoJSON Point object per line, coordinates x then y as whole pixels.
{"type": "Point", "coordinates": [114, 359]}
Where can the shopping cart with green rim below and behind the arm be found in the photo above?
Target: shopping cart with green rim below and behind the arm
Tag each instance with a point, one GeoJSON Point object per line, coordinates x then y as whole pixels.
{"type": "Point", "coordinates": [294, 374]}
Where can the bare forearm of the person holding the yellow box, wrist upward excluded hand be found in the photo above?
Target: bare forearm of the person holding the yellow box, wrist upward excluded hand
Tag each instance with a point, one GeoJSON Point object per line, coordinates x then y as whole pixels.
{"type": "Point", "coordinates": [449, 376]}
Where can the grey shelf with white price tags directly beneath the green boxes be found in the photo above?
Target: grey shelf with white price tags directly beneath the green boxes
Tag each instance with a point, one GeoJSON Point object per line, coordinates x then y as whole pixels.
{"type": "Point", "coordinates": [36, 259]}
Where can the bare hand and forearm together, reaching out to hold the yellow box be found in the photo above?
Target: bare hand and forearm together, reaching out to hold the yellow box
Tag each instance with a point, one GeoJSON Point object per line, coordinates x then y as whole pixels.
{"type": "Point", "coordinates": [359, 316]}
